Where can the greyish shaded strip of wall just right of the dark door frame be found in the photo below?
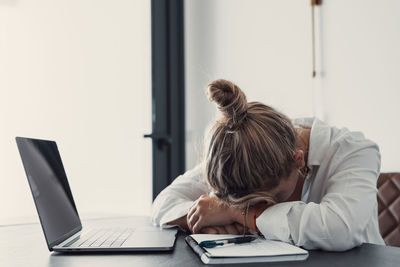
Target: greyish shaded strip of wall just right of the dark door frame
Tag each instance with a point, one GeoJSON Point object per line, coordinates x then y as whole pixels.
{"type": "Point", "coordinates": [201, 64]}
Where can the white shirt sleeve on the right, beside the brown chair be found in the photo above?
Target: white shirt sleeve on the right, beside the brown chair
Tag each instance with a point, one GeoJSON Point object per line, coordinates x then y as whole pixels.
{"type": "Point", "coordinates": [337, 222]}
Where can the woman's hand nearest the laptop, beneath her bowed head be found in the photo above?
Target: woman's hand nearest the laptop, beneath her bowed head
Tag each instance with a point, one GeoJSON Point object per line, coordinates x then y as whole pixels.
{"type": "Point", "coordinates": [210, 211]}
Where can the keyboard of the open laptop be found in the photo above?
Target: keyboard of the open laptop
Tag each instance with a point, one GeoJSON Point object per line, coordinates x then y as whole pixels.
{"type": "Point", "coordinates": [101, 238]}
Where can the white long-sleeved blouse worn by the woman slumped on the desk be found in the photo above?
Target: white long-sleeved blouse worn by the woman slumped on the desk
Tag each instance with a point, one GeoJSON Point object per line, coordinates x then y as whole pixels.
{"type": "Point", "coordinates": [338, 208]}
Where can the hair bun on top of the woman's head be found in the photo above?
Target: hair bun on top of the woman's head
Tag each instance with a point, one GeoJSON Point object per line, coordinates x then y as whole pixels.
{"type": "Point", "coordinates": [231, 101]}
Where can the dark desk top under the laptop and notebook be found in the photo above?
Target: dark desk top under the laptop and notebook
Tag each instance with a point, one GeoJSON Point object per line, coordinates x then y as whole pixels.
{"type": "Point", "coordinates": [24, 245]}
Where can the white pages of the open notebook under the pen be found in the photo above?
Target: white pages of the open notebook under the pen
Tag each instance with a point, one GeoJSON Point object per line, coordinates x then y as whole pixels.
{"type": "Point", "coordinates": [259, 247]}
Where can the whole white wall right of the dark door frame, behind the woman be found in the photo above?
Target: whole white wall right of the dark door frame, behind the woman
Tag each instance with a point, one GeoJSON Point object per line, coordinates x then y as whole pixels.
{"type": "Point", "coordinates": [265, 46]}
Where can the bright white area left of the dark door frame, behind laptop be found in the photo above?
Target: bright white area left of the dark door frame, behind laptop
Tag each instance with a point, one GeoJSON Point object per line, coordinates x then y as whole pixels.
{"type": "Point", "coordinates": [78, 72]}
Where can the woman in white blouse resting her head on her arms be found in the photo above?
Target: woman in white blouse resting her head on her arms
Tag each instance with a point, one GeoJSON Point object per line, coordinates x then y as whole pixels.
{"type": "Point", "coordinates": [302, 182]}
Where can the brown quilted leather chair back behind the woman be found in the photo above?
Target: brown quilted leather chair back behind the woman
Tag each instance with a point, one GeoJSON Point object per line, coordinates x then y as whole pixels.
{"type": "Point", "coordinates": [389, 207]}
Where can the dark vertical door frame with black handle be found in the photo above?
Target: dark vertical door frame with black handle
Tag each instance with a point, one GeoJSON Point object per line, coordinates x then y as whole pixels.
{"type": "Point", "coordinates": [168, 92]}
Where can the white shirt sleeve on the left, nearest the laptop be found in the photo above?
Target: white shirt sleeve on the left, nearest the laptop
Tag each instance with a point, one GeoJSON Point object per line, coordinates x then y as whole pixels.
{"type": "Point", "coordinates": [176, 199]}
